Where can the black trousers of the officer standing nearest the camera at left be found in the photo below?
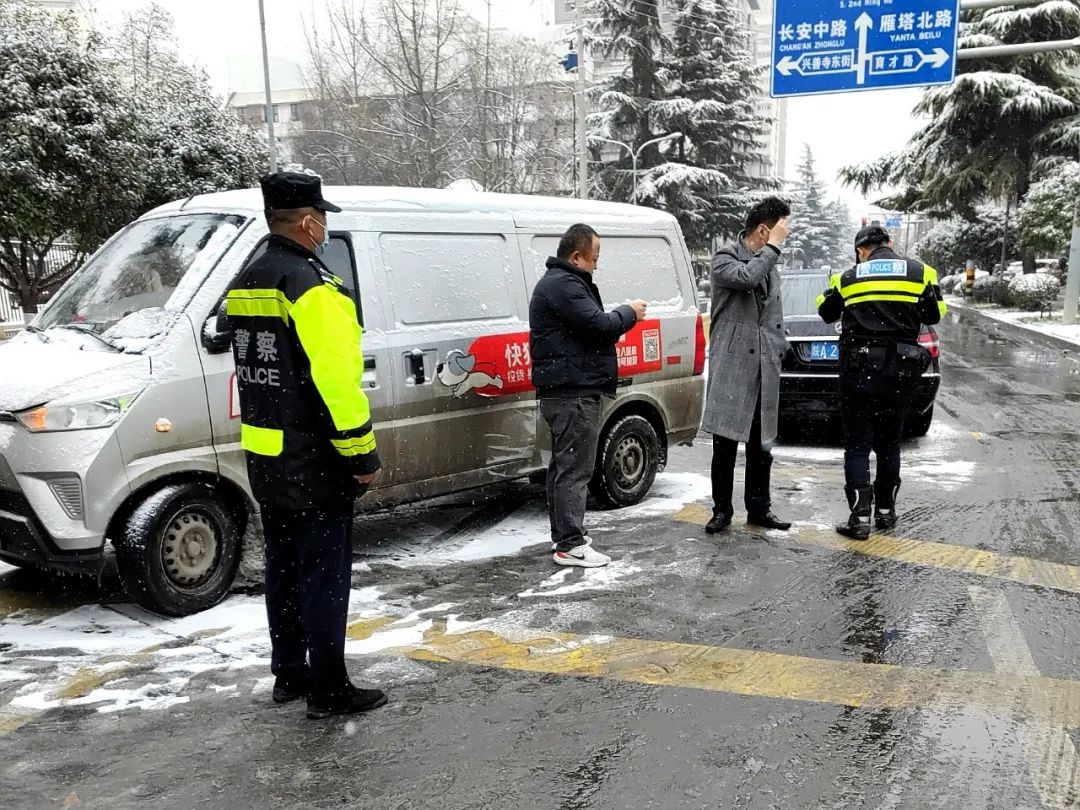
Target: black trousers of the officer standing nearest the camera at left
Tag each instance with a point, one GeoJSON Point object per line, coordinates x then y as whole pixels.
{"type": "Point", "coordinates": [308, 578]}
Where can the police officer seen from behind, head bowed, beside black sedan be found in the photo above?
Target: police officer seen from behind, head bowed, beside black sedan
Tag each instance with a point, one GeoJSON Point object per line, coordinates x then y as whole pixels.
{"type": "Point", "coordinates": [884, 302]}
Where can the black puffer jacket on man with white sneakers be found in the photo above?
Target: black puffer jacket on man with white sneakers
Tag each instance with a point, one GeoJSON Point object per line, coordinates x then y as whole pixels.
{"type": "Point", "coordinates": [572, 337]}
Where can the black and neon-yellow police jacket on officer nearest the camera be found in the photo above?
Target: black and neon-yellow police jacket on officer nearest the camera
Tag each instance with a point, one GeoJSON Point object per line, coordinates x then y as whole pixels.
{"type": "Point", "coordinates": [306, 422]}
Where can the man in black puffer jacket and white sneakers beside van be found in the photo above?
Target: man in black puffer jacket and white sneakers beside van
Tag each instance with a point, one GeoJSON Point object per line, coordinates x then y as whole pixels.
{"type": "Point", "coordinates": [573, 343]}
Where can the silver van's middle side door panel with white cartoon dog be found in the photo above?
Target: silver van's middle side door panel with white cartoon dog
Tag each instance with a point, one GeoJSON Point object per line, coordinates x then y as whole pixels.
{"type": "Point", "coordinates": [465, 411]}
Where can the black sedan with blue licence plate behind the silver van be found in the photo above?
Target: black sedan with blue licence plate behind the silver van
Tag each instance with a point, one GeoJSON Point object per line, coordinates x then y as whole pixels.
{"type": "Point", "coordinates": [809, 380]}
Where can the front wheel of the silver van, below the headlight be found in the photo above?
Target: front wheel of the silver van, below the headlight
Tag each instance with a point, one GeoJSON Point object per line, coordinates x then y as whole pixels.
{"type": "Point", "coordinates": [180, 550]}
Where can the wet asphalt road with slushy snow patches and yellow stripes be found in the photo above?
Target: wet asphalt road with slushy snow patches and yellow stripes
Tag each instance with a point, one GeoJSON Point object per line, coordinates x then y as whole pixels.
{"type": "Point", "coordinates": [758, 670]}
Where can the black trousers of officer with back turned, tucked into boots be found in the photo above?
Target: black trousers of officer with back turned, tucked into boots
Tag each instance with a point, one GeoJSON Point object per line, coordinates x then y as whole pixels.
{"type": "Point", "coordinates": [873, 409]}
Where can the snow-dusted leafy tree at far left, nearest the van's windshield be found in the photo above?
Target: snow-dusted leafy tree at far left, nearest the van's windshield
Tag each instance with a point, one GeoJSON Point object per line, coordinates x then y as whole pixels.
{"type": "Point", "coordinates": [70, 157]}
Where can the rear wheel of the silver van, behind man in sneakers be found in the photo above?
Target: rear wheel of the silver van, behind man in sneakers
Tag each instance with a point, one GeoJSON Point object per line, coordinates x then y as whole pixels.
{"type": "Point", "coordinates": [627, 464]}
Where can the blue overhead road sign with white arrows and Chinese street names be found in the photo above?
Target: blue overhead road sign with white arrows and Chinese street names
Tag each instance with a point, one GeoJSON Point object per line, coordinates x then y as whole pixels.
{"type": "Point", "coordinates": [845, 46]}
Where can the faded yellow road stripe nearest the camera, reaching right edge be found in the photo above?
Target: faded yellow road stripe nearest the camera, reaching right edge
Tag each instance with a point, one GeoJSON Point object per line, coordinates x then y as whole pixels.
{"type": "Point", "coordinates": [759, 674]}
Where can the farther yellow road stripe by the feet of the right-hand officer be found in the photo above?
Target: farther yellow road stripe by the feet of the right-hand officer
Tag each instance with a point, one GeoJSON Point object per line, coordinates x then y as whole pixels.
{"type": "Point", "coordinates": [962, 559]}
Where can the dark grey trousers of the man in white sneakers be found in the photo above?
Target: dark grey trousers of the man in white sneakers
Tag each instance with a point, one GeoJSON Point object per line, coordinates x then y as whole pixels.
{"type": "Point", "coordinates": [575, 426]}
